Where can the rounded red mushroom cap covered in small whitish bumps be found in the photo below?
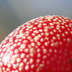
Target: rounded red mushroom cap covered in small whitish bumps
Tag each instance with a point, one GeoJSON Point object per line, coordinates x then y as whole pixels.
{"type": "Point", "coordinates": [43, 44]}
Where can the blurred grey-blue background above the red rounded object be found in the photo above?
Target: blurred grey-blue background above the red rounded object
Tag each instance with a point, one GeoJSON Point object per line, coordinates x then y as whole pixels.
{"type": "Point", "coordinates": [16, 12]}
